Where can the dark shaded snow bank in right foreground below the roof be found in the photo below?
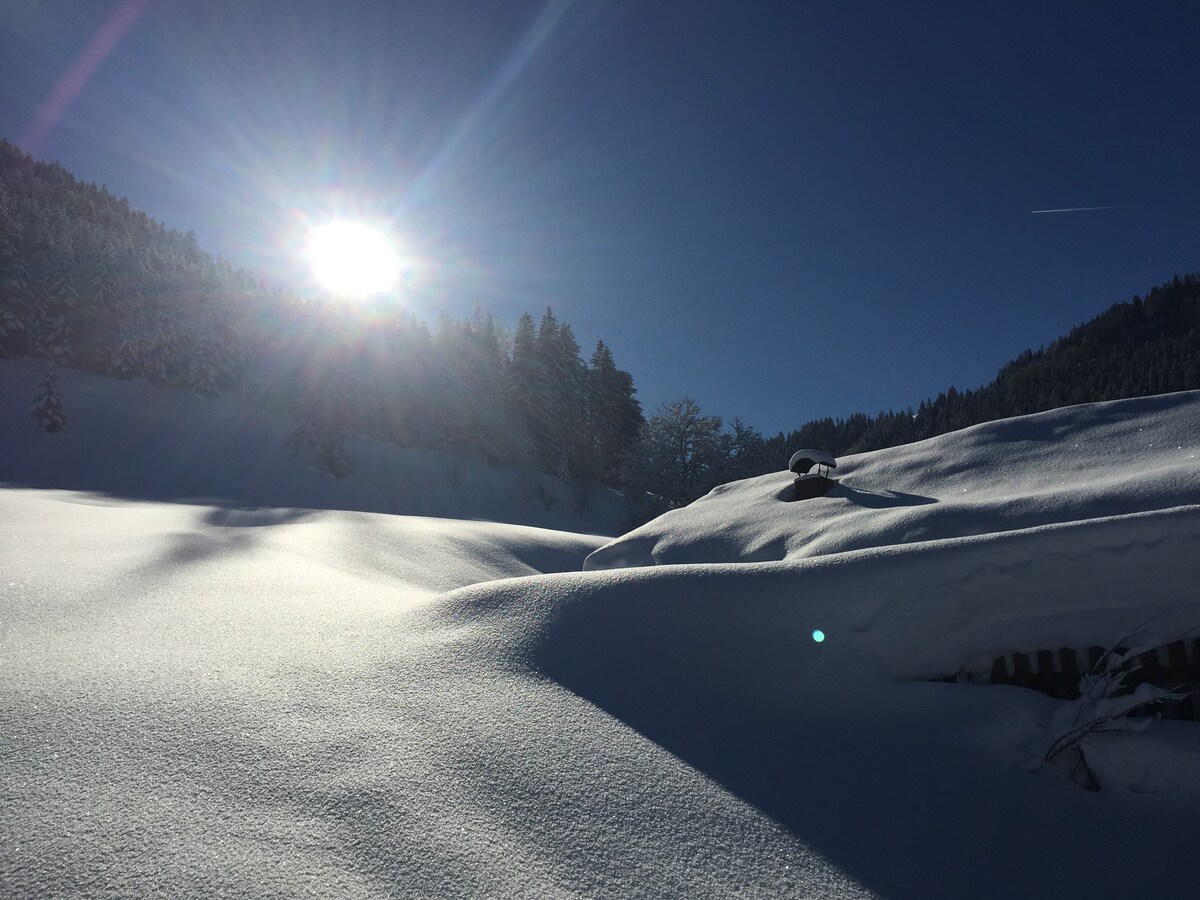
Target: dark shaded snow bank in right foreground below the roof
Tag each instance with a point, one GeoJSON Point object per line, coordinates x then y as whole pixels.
{"type": "Point", "coordinates": [911, 788]}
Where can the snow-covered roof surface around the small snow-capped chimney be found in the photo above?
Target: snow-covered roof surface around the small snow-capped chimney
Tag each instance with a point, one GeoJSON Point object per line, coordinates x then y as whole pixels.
{"type": "Point", "coordinates": [1071, 465]}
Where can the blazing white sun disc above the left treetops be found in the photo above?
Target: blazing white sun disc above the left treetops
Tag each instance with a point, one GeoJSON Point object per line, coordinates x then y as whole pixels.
{"type": "Point", "coordinates": [353, 259]}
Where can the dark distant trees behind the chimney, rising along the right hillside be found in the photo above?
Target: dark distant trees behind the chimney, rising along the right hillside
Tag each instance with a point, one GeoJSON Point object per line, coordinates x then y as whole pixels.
{"type": "Point", "coordinates": [1136, 349]}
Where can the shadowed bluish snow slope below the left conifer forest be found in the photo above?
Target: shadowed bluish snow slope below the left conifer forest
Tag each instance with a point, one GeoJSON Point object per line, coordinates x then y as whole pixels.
{"type": "Point", "coordinates": [131, 440]}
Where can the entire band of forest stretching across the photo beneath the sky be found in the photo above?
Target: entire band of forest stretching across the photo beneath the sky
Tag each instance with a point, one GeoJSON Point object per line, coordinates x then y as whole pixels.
{"type": "Point", "coordinates": [86, 281]}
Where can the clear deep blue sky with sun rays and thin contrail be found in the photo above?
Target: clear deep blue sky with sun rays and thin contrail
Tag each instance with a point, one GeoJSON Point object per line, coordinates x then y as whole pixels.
{"type": "Point", "coordinates": [787, 211]}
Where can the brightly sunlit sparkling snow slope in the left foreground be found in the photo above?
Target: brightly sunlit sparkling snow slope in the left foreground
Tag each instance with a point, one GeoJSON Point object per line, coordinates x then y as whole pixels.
{"type": "Point", "coordinates": [200, 705]}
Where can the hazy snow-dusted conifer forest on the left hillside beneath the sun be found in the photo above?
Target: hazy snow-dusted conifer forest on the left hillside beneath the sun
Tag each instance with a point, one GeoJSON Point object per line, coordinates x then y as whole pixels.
{"type": "Point", "coordinates": [88, 283]}
